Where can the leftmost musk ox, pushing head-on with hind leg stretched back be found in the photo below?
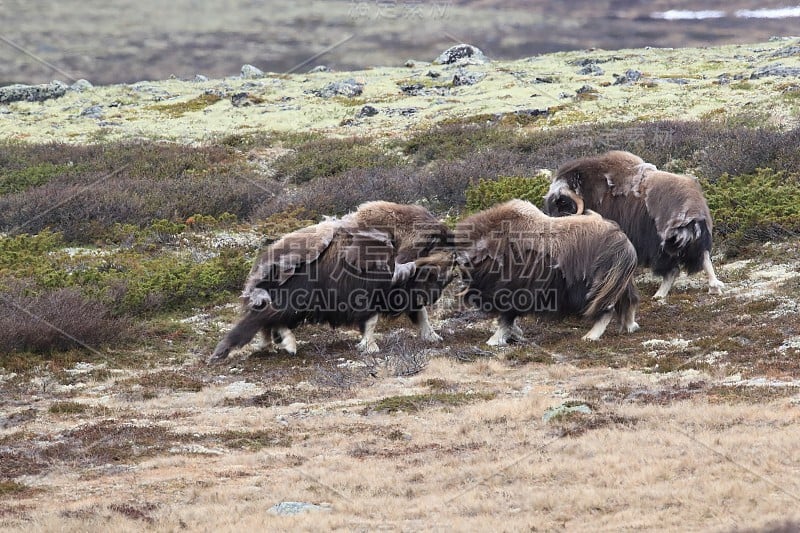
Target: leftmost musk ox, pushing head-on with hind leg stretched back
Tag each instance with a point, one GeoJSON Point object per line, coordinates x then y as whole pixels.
{"type": "Point", "coordinates": [384, 258]}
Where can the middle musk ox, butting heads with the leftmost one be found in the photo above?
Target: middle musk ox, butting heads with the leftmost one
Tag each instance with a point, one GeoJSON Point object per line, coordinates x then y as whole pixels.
{"type": "Point", "coordinates": [516, 260]}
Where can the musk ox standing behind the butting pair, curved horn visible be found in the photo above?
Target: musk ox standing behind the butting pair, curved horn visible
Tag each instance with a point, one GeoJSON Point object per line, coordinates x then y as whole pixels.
{"type": "Point", "coordinates": [664, 215]}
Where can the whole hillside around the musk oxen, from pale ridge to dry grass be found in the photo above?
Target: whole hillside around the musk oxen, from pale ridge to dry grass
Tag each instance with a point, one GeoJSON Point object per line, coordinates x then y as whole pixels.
{"type": "Point", "coordinates": [128, 232]}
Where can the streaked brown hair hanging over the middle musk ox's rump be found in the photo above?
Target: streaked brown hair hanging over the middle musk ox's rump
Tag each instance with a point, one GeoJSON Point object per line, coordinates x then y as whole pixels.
{"type": "Point", "coordinates": [613, 275]}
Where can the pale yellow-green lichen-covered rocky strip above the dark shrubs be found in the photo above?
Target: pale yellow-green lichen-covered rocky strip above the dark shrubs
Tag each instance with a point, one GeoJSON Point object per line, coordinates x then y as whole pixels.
{"type": "Point", "coordinates": [556, 89]}
